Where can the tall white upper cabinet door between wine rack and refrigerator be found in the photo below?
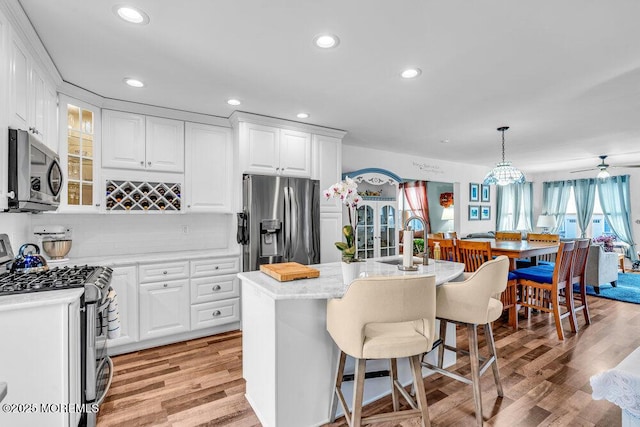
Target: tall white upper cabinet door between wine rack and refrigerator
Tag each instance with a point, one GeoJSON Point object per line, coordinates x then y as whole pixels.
{"type": "Point", "coordinates": [208, 168]}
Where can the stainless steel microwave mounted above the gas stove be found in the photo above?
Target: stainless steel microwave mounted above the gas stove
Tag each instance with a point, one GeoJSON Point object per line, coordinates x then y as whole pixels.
{"type": "Point", "coordinates": [35, 176]}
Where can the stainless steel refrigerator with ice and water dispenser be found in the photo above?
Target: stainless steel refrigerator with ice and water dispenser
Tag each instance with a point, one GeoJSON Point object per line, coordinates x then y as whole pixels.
{"type": "Point", "coordinates": [280, 221]}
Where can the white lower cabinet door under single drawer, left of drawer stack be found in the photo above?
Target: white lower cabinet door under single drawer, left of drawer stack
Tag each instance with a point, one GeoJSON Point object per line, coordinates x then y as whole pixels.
{"type": "Point", "coordinates": [164, 308]}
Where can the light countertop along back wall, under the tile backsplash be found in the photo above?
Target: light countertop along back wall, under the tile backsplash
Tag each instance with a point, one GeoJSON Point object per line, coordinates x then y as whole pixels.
{"type": "Point", "coordinates": [156, 257]}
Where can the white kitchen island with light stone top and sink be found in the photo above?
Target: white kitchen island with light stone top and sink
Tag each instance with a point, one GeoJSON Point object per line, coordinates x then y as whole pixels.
{"type": "Point", "coordinates": [289, 359]}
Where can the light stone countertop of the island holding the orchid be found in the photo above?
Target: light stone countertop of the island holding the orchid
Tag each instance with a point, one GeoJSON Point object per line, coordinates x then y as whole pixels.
{"type": "Point", "coordinates": [329, 284]}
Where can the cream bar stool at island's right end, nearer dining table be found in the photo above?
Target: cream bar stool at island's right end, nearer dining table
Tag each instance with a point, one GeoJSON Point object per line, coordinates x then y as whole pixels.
{"type": "Point", "coordinates": [473, 302]}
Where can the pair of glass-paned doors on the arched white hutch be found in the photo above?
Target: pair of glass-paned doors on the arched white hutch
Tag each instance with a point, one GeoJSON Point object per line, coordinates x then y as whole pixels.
{"type": "Point", "coordinates": [376, 231]}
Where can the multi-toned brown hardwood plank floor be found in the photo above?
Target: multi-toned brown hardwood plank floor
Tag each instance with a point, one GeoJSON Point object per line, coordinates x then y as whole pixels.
{"type": "Point", "coordinates": [546, 381]}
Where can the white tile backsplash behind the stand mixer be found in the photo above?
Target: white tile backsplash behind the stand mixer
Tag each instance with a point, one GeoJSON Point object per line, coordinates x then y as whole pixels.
{"type": "Point", "coordinates": [114, 234]}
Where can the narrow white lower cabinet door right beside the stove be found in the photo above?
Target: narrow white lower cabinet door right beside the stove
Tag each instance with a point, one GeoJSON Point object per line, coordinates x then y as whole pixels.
{"type": "Point", "coordinates": [123, 281]}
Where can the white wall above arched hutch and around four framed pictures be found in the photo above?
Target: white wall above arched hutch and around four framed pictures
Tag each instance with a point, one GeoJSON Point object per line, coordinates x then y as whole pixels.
{"type": "Point", "coordinates": [421, 168]}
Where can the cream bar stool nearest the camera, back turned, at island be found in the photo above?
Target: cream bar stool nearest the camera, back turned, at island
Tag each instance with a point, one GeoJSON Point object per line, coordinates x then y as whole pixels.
{"type": "Point", "coordinates": [384, 318]}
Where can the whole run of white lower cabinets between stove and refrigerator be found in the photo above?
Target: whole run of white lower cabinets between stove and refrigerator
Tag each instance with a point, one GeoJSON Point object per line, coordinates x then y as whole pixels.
{"type": "Point", "coordinates": [165, 302]}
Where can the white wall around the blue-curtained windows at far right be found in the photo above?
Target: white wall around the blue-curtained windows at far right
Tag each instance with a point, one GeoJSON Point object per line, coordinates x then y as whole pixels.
{"type": "Point", "coordinates": [562, 175]}
